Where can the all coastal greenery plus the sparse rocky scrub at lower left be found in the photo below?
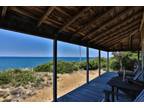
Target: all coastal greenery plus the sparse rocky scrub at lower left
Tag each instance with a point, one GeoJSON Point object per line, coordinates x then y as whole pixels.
{"type": "Point", "coordinates": [17, 84]}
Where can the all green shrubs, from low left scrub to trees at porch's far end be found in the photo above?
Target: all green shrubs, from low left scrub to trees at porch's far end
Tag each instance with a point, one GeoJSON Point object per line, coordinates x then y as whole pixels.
{"type": "Point", "coordinates": [18, 77]}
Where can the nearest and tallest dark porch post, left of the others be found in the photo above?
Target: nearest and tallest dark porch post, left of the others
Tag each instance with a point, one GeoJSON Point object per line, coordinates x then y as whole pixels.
{"type": "Point", "coordinates": [55, 70]}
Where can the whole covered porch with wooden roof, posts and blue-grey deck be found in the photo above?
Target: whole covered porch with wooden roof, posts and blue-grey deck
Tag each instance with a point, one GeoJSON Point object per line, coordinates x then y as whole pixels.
{"type": "Point", "coordinates": [104, 28]}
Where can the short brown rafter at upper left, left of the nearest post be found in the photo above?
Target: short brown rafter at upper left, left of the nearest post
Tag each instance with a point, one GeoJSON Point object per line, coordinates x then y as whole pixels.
{"type": "Point", "coordinates": [46, 14]}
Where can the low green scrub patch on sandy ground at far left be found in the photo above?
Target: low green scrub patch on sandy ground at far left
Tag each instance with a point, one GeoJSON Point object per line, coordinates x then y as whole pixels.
{"type": "Point", "coordinates": [18, 77]}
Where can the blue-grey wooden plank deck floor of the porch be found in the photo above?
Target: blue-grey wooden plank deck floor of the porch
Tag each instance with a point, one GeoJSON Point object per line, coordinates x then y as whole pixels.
{"type": "Point", "coordinates": [92, 92]}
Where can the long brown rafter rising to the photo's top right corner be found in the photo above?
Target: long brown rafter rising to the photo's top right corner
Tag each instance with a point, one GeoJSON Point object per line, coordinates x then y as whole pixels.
{"type": "Point", "coordinates": [108, 22]}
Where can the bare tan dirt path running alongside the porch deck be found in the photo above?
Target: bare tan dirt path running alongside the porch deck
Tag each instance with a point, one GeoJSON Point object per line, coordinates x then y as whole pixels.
{"type": "Point", "coordinates": [66, 83]}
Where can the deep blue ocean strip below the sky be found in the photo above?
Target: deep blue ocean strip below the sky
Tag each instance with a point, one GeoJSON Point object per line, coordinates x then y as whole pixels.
{"type": "Point", "coordinates": [31, 62]}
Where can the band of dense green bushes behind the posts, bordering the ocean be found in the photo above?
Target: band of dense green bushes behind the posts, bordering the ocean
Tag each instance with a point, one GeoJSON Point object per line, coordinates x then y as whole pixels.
{"type": "Point", "coordinates": [68, 67]}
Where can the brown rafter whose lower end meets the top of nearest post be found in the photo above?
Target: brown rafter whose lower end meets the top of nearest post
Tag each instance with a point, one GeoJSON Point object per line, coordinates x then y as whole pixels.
{"type": "Point", "coordinates": [73, 19]}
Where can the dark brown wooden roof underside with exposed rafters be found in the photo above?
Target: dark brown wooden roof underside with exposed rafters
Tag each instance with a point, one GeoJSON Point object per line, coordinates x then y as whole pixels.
{"type": "Point", "coordinates": [100, 27]}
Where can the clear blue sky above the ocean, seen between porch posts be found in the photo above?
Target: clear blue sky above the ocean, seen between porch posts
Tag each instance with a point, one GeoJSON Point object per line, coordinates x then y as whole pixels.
{"type": "Point", "coordinates": [18, 44]}
